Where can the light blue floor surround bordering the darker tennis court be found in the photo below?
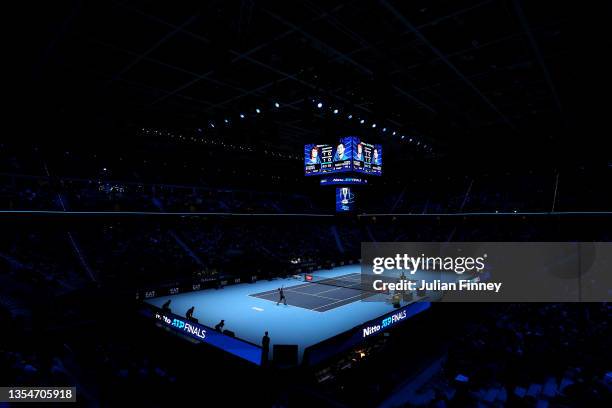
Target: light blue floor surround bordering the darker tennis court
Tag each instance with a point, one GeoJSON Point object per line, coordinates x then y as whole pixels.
{"type": "Point", "coordinates": [249, 317]}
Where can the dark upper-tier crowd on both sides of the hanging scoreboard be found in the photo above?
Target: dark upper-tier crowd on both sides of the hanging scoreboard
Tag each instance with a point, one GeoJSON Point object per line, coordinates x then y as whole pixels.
{"type": "Point", "coordinates": [573, 192]}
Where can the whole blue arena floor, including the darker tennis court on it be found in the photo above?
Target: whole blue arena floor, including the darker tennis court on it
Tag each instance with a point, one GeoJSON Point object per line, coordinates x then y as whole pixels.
{"type": "Point", "coordinates": [314, 312]}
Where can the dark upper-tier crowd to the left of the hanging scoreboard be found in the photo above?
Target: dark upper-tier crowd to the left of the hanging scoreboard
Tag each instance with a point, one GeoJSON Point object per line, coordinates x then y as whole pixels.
{"type": "Point", "coordinates": [44, 193]}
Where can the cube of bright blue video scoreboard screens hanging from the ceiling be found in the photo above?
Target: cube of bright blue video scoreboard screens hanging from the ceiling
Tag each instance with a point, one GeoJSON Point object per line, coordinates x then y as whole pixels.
{"type": "Point", "coordinates": [350, 154]}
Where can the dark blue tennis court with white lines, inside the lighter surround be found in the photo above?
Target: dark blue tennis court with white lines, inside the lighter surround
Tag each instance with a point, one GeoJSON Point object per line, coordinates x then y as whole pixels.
{"type": "Point", "coordinates": [323, 295]}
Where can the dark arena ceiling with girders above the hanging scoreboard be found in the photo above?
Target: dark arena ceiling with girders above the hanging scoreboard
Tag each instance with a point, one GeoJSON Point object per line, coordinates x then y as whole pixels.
{"type": "Point", "coordinates": [448, 74]}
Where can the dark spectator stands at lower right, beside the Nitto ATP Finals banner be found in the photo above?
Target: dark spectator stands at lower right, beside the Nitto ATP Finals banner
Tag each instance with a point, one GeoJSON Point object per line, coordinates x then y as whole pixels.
{"type": "Point", "coordinates": [517, 354]}
